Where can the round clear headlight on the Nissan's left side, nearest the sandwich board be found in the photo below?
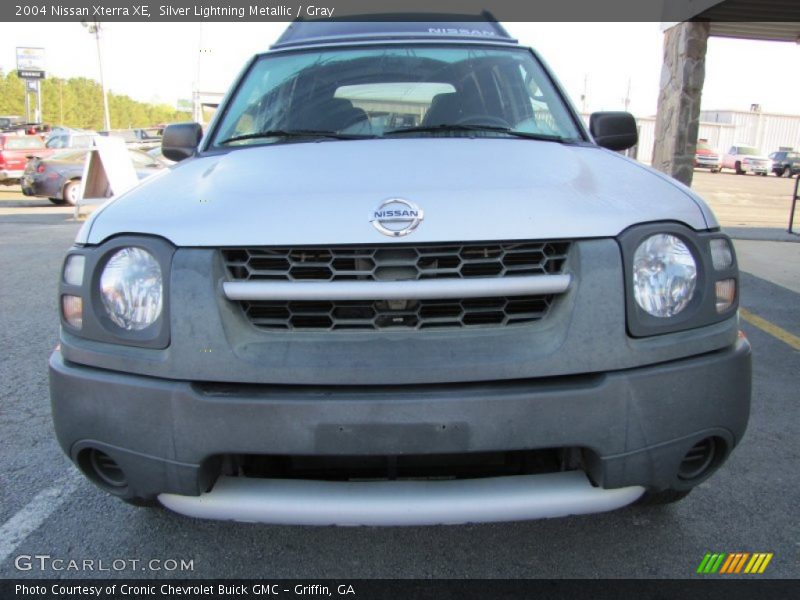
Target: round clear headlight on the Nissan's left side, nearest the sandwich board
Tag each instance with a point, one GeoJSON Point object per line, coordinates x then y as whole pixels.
{"type": "Point", "coordinates": [131, 288]}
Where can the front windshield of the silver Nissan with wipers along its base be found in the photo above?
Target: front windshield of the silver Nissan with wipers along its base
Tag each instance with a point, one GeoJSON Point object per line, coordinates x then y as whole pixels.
{"type": "Point", "coordinates": [394, 91]}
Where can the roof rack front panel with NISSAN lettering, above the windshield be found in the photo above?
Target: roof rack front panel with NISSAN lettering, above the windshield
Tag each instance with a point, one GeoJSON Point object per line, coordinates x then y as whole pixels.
{"type": "Point", "coordinates": [393, 26]}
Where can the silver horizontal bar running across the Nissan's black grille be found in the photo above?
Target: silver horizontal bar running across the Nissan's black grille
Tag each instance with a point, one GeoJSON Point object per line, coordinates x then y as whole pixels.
{"type": "Point", "coordinates": [423, 289]}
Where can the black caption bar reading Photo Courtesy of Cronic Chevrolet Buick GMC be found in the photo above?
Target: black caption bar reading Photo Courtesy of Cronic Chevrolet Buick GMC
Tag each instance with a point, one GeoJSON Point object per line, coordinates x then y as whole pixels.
{"type": "Point", "coordinates": [706, 587]}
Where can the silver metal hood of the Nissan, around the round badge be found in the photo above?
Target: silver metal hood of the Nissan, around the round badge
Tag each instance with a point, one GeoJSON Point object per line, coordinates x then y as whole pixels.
{"type": "Point", "coordinates": [325, 193]}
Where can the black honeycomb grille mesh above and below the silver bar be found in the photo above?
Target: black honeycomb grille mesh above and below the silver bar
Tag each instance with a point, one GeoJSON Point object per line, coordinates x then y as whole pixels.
{"type": "Point", "coordinates": [396, 263]}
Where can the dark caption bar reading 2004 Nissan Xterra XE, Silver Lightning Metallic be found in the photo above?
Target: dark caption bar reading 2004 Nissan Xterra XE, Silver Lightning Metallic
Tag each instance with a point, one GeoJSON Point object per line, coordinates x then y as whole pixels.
{"type": "Point", "coordinates": [419, 10]}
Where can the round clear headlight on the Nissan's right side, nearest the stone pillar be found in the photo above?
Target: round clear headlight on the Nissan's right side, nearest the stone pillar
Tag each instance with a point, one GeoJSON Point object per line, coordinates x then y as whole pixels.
{"type": "Point", "coordinates": [664, 275]}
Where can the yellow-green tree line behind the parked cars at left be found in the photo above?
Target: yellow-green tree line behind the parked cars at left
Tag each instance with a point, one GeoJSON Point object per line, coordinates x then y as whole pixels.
{"type": "Point", "coordinates": [78, 102]}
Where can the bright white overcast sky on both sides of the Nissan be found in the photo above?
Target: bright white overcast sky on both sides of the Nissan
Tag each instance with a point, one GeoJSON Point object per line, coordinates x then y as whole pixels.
{"type": "Point", "coordinates": [162, 62]}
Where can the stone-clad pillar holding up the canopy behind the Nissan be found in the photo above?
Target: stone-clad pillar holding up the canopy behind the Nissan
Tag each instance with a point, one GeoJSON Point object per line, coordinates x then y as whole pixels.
{"type": "Point", "coordinates": [678, 118]}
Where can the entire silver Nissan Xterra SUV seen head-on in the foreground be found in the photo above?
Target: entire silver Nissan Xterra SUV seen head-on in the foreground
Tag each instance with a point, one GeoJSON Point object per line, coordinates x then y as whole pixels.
{"type": "Point", "coordinates": [397, 281]}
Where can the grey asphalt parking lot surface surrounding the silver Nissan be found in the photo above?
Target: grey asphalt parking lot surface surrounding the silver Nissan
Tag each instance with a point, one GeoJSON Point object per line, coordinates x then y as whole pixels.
{"type": "Point", "coordinates": [46, 508]}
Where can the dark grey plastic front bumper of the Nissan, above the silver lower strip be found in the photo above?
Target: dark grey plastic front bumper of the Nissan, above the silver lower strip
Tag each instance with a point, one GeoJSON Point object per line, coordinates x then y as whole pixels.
{"type": "Point", "coordinates": [636, 425]}
